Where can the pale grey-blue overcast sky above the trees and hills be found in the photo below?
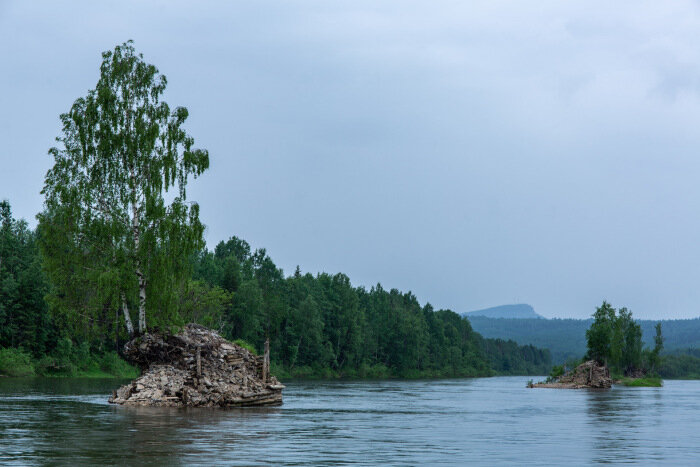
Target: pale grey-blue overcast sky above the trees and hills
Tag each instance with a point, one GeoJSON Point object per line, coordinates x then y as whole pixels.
{"type": "Point", "coordinates": [475, 153]}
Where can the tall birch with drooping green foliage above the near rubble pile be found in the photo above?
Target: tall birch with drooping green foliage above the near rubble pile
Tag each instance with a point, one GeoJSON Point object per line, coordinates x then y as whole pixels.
{"type": "Point", "coordinates": [108, 236]}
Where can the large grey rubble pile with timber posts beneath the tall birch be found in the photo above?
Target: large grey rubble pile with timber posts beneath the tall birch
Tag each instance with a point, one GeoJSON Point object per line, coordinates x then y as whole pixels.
{"type": "Point", "coordinates": [197, 368]}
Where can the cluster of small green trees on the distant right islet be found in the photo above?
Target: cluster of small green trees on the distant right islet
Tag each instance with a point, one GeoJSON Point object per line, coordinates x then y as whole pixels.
{"type": "Point", "coordinates": [615, 340]}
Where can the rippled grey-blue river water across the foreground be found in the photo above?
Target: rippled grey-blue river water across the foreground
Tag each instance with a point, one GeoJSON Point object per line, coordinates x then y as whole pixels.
{"type": "Point", "coordinates": [481, 421]}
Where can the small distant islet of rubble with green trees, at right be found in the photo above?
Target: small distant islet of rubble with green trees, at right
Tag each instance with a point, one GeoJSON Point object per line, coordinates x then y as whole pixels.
{"type": "Point", "coordinates": [615, 355]}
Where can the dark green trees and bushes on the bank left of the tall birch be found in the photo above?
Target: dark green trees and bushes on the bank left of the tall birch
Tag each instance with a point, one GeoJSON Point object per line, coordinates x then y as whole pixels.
{"type": "Point", "coordinates": [31, 340]}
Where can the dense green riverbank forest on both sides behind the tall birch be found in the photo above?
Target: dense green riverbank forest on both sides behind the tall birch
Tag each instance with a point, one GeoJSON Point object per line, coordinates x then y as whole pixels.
{"type": "Point", "coordinates": [318, 325]}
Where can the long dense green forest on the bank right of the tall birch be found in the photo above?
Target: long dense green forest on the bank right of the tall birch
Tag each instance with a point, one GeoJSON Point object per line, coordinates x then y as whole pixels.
{"type": "Point", "coordinates": [322, 325]}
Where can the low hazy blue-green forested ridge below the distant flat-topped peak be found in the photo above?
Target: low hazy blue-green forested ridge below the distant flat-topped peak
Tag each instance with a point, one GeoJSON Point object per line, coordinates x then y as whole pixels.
{"type": "Point", "coordinates": [566, 338]}
